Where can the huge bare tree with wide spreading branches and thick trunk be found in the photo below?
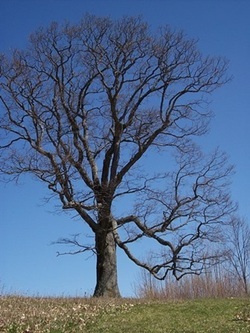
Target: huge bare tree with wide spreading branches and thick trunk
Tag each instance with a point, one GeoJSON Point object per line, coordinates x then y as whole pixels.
{"type": "Point", "coordinates": [86, 107]}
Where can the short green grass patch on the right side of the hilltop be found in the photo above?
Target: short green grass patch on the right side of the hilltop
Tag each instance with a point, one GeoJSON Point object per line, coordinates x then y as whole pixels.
{"type": "Point", "coordinates": [215, 316]}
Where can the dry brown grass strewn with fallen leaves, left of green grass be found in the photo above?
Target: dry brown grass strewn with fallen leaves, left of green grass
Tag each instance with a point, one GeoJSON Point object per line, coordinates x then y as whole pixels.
{"type": "Point", "coordinates": [53, 315]}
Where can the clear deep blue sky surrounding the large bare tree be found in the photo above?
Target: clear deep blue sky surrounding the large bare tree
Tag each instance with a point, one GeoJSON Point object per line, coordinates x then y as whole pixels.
{"type": "Point", "coordinates": [28, 263]}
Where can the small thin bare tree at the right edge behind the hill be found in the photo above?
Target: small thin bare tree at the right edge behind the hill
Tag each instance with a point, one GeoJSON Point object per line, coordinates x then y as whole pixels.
{"type": "Point", "coordinates": [238, 251]}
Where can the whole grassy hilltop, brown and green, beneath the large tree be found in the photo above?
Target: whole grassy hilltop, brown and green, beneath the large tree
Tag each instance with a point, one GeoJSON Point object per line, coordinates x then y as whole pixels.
{"type": "Point", "coordinates": [61, 315]}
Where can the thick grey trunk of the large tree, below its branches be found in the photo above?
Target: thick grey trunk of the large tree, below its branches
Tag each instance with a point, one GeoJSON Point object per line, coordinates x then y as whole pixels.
{"type": "Point", "coordinates": [106, 265]}
